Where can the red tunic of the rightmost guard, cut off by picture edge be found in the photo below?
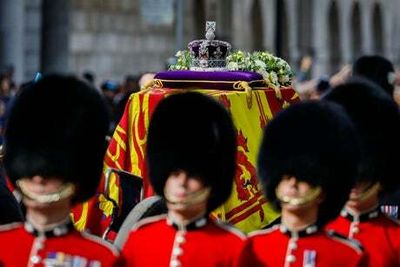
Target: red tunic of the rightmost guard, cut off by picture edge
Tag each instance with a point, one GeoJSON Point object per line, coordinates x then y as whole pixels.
{"type": "Point", "coordinates": [377, 233]}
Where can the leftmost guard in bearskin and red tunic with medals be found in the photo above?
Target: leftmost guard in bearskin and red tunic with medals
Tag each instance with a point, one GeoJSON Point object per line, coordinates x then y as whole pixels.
{"type": "Point", "coordinates": [54, 147]}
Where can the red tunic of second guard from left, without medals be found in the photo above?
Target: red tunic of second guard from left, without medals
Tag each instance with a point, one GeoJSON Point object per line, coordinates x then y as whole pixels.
{"type": "Point", "coordinates": [157, 241]}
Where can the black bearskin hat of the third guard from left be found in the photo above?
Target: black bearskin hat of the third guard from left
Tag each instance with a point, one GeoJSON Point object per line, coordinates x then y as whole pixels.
{"type": "Point", "coordinates": [316, 143]}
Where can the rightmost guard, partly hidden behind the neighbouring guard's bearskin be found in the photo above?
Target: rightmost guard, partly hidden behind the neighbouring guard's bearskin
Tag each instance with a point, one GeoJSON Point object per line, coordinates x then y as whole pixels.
{"type": "Point", "coordinates": [377, 121]}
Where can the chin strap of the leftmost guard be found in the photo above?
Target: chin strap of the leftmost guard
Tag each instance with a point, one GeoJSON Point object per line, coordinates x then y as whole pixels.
{"type": "Point", "coordinates": [66, 190]}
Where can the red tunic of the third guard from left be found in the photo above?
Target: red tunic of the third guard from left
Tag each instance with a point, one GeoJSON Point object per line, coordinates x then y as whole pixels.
{"type": "Point", "coordinates": [278, 246]}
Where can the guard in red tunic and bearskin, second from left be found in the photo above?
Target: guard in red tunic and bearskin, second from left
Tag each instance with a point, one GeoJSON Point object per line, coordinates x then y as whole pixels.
{"type": "Point", "coordinates": [191, 159]}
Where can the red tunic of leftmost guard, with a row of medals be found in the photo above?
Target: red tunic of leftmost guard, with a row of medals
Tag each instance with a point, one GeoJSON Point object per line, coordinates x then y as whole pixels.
{"type": "Point", "coordinates": [22, 245]}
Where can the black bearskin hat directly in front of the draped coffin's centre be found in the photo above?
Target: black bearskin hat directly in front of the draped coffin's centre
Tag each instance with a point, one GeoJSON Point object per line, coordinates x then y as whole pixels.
{"type": "Point", "coordinates": [193, 133]}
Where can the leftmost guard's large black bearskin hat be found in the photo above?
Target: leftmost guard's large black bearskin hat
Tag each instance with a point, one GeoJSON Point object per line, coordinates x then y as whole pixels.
{"type": "Point", "coordinates": [57, 128]}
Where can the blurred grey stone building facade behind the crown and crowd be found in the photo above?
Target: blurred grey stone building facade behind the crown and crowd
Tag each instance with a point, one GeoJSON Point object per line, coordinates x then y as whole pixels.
{"type": "Point", "coordinates": [112, 38]}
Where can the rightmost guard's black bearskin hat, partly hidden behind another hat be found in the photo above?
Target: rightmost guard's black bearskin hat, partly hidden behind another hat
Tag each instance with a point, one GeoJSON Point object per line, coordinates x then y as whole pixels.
{"type": "Point", "coordinates": [377, 121]}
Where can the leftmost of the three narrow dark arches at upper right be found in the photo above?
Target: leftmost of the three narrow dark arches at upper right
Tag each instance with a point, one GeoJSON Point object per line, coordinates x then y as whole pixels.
{"type": "Point", "coordinates": [334, 37]}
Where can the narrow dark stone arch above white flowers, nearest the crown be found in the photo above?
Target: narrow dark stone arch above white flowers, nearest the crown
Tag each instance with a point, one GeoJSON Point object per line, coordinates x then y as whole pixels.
{"type": "Point", "coordinates": [257, 25]}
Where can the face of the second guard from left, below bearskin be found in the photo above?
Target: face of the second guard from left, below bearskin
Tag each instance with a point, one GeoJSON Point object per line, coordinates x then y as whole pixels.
{"type": "Point", "coordinates": [183, 191]}
